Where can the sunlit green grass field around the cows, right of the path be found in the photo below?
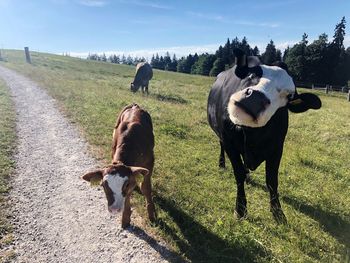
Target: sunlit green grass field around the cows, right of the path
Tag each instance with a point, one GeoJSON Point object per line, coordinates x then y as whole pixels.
{"type": "Point", "coordinates": [195, 199]}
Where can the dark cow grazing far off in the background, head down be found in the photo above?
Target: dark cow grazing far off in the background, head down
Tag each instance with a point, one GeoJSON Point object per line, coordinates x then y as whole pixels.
{"type": "Point", "coordinates": [144, 74]}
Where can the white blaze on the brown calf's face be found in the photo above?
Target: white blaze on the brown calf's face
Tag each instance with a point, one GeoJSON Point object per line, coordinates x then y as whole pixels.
{"type": "Point", "coordinates": [115, 183]}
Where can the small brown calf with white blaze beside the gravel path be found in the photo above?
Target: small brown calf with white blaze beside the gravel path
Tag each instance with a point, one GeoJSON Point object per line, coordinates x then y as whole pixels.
{"type": "Point", "coordinates": [132, 154]}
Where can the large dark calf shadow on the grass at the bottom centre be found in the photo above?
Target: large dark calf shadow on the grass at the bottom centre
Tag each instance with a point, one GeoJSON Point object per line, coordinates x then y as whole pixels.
{"type": "Point", "coordinates": [198, 244]}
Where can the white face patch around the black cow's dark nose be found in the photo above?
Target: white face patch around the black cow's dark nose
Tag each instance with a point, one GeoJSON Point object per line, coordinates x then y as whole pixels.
{"type": "Point", "coordinates": [275, 84]}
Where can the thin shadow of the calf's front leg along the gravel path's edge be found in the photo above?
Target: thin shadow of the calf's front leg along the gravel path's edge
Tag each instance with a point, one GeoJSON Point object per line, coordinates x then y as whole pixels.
{"type": "Point", "coordinates": [166, 254]}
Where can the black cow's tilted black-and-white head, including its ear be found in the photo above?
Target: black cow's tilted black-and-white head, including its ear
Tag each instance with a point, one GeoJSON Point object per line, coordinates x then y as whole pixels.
{"type": "Point", "coordinates": [264, 89]}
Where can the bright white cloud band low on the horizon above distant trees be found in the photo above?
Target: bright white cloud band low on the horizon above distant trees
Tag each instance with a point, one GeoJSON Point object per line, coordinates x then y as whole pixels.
{"type": "Point", "coordinates": [179, 51]}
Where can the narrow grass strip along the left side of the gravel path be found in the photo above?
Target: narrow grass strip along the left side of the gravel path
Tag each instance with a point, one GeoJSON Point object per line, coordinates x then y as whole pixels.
{"type": "Point", "coordinates": [7, 144]}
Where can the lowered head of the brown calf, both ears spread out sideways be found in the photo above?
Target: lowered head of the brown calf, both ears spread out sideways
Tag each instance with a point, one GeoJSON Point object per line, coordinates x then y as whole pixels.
{"type": "Point", "coordinates": [118, 181]}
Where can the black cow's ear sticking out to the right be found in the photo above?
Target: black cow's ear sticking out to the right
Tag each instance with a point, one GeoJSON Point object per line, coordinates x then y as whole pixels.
{"type": "Point", "coordinates": [302, 102]}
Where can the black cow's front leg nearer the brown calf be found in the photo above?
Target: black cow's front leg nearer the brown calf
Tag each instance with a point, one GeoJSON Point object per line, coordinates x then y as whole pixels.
{"type": "Point", "coordinates": [240, 175]}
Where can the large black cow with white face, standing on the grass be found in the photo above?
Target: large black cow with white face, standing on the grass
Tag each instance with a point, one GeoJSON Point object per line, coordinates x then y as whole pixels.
{"type": "Point", "coordinates": [248, 110]}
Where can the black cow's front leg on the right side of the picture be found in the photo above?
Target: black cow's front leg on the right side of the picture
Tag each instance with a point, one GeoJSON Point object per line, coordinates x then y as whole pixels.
{"type": "Point", "coordinates": [272, 166]}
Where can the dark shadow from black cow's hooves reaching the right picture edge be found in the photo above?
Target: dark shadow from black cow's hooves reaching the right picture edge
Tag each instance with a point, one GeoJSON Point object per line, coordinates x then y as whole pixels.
{"type": "Point", "coordinates": [331, 222]}
